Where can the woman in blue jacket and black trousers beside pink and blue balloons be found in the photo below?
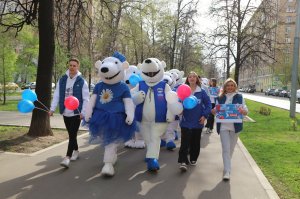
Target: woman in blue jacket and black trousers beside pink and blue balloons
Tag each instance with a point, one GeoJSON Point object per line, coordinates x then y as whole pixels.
{"type": "Point", "coordinates": [192, 123]}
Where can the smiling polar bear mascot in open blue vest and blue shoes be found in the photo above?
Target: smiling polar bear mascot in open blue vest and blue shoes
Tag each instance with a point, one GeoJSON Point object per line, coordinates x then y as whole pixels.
{"type": "Point", "coordinates": [152, 110]}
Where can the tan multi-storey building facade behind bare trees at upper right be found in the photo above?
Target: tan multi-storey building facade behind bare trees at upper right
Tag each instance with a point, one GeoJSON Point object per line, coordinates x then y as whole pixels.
{"type": "Point", "coordinates": [274, 71]}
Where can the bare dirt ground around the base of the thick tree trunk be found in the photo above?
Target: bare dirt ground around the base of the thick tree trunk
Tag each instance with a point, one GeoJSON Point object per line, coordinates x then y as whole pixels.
{"type": "Point", "coordinates": [15, 139]}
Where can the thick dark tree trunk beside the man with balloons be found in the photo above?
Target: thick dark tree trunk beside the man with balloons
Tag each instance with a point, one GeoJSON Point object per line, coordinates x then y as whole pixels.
{"type": "Point", "coordinates": [40, 123]}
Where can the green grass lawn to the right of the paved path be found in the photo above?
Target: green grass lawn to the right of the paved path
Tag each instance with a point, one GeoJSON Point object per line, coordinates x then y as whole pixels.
{"type": "Point", "coordinates": [275, 148]}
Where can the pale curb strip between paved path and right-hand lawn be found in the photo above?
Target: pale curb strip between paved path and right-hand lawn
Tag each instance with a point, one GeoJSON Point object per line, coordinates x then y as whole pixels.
{"type": "Point", "coordinates": [261, 177]}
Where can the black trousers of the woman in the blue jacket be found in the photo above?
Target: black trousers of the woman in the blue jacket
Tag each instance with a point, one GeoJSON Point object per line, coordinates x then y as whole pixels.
{"type": "Point", "coordinates": [190, 145]}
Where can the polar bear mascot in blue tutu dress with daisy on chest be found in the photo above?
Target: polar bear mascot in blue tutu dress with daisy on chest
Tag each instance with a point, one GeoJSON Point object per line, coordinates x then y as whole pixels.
{"type": "Point", "coordinates": [110, 112]}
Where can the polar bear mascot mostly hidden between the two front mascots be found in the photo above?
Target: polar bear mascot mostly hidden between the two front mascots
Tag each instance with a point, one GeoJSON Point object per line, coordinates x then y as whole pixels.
{"type": "Point", "coordinates": [137, 141]}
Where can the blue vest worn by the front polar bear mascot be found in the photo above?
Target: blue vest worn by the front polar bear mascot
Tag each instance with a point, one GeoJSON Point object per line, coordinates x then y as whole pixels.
{"type": "Point", "coordinates": [159, 101]}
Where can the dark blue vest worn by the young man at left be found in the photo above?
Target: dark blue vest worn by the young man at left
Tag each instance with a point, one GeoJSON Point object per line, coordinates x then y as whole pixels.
{"type": "Point", "coordinates": [77, 92]}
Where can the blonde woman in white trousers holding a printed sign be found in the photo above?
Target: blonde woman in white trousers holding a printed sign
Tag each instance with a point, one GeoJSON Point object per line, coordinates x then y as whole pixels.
{"type": "Point", "coordinates": [229, 132]}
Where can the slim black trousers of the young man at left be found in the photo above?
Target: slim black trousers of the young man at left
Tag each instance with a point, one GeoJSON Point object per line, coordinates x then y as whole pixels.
{"type": "Point", "coordinates": [72, 125]}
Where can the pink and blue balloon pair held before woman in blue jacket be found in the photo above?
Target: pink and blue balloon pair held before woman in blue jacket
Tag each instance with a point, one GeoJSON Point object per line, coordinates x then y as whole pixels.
{"type": "Point", "coordinates": [184, 94]}
